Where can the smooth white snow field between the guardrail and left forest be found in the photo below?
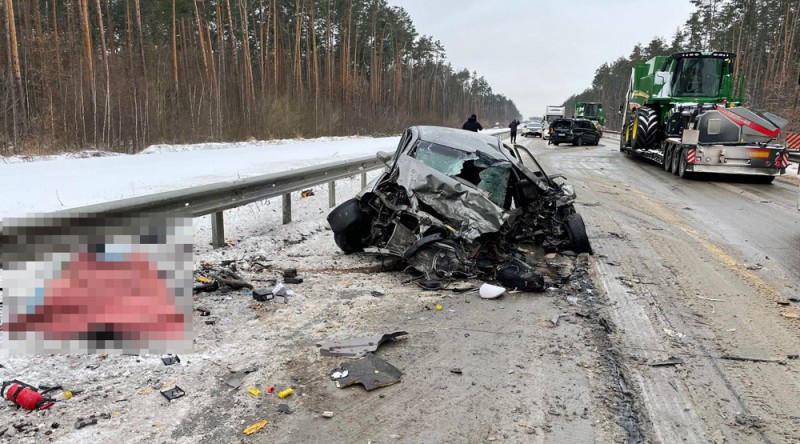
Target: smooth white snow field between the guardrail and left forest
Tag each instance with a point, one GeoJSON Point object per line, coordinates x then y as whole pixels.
{"type": "Point", "coordinates": [52, 183]}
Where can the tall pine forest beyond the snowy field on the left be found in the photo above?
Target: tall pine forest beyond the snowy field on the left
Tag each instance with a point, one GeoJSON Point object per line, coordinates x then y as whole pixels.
{"type": "Point", "coordinates": [122, 74]}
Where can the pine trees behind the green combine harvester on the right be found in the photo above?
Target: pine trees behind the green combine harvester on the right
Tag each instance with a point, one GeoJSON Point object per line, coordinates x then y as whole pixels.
{"type": "Point", "coordinates": [765, 35]}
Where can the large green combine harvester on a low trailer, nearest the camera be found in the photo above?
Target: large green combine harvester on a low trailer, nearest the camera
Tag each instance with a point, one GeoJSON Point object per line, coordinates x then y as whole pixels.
{"type": "Point", "coordinates": [684, 112]}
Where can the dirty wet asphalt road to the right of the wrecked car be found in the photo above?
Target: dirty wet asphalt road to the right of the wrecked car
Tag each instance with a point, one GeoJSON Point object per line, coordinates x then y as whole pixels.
{"type": "Point", "coordinates": [703, 271]}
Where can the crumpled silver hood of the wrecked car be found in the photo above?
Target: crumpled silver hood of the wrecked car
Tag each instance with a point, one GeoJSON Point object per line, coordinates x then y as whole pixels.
{"type": "Point", "coordinates": [476, 213]}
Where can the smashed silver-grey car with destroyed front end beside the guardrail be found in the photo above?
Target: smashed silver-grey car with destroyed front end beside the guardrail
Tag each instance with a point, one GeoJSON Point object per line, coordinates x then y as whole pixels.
{"type": "Point", "coordinates": [457, 204]}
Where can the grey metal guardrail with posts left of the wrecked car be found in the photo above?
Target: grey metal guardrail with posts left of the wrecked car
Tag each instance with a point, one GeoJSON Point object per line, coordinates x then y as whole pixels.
{"type": "Point", "coordinates": [215, 198]}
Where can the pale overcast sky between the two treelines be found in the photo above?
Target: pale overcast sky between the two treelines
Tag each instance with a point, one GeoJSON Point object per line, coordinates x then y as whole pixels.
{"type": "Point", "coordinates": [539, 53]}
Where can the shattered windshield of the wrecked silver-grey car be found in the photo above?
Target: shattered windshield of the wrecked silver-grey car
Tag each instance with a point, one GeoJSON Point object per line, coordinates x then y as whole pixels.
{"type": "Point", "coordinates": [475, 169]}
